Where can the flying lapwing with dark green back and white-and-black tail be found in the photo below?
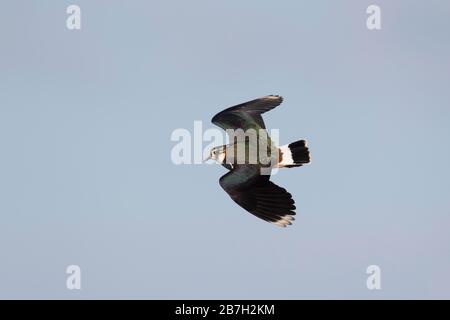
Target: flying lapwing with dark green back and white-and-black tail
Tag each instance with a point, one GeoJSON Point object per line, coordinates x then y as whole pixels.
{"type": "Point", "coordinates": [250, 158]}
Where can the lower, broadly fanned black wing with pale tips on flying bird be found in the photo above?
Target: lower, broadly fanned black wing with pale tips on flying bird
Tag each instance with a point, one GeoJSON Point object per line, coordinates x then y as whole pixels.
{"type": "Point", "coordinates": [258, 195]}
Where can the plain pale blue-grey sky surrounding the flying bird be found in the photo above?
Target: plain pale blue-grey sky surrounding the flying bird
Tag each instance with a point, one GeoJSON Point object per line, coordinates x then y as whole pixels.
{"type": "Point", "coordinates": [87, 179]}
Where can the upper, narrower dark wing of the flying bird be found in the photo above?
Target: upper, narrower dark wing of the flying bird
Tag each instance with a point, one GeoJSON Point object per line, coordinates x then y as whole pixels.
{"type": "Point", "coordinates": [246, 115]}
